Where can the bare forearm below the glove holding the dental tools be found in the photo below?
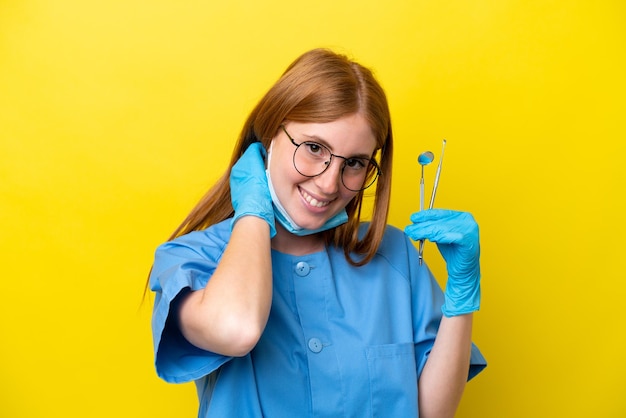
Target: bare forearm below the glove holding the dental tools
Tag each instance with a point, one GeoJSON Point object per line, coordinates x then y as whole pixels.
{"type": "Point", "coordinates": [443, 379]}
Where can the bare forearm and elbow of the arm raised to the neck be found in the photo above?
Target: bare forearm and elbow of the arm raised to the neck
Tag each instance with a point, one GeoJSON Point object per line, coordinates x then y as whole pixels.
{"type": "Point", "coordinates": [228, 316]}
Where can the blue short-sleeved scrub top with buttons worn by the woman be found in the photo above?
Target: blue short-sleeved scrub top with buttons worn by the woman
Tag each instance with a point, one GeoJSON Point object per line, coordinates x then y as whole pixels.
{"type": "Point", "coordinates": [340, 340]}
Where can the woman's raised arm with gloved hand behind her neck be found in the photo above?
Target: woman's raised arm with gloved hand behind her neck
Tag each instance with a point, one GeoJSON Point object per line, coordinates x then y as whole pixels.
{"type": "Point", "coordinates": [229, 315]}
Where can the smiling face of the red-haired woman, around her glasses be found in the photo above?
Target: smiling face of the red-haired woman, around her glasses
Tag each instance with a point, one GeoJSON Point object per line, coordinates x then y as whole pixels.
{"type": "Point", "coordinates": [311, 201]}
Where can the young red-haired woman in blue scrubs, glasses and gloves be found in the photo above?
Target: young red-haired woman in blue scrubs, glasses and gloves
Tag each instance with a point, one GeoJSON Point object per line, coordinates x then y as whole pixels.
{"type": "Point", "coordinates": [278, 301]}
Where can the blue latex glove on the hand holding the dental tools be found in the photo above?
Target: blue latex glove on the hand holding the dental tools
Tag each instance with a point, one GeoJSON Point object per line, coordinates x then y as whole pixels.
{"type": "Point", "coordinates": [456, 235]}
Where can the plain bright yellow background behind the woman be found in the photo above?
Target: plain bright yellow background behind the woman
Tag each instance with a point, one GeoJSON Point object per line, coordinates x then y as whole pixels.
{"type": "Point", "coordinates": [115, 116]}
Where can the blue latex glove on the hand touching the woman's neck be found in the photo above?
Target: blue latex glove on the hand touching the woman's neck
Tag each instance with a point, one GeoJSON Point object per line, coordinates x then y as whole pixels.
{"type": "Point", "coordinates": [249, 191]}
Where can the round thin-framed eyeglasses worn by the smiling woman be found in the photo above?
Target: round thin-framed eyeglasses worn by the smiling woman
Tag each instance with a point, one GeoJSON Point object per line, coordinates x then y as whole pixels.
{"type": "Point", "coordinates": [311, 159]}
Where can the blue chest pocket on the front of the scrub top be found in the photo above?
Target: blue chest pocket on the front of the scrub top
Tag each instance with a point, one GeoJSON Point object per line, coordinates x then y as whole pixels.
{"type": "Point", "coordinates": [393, 380]}
